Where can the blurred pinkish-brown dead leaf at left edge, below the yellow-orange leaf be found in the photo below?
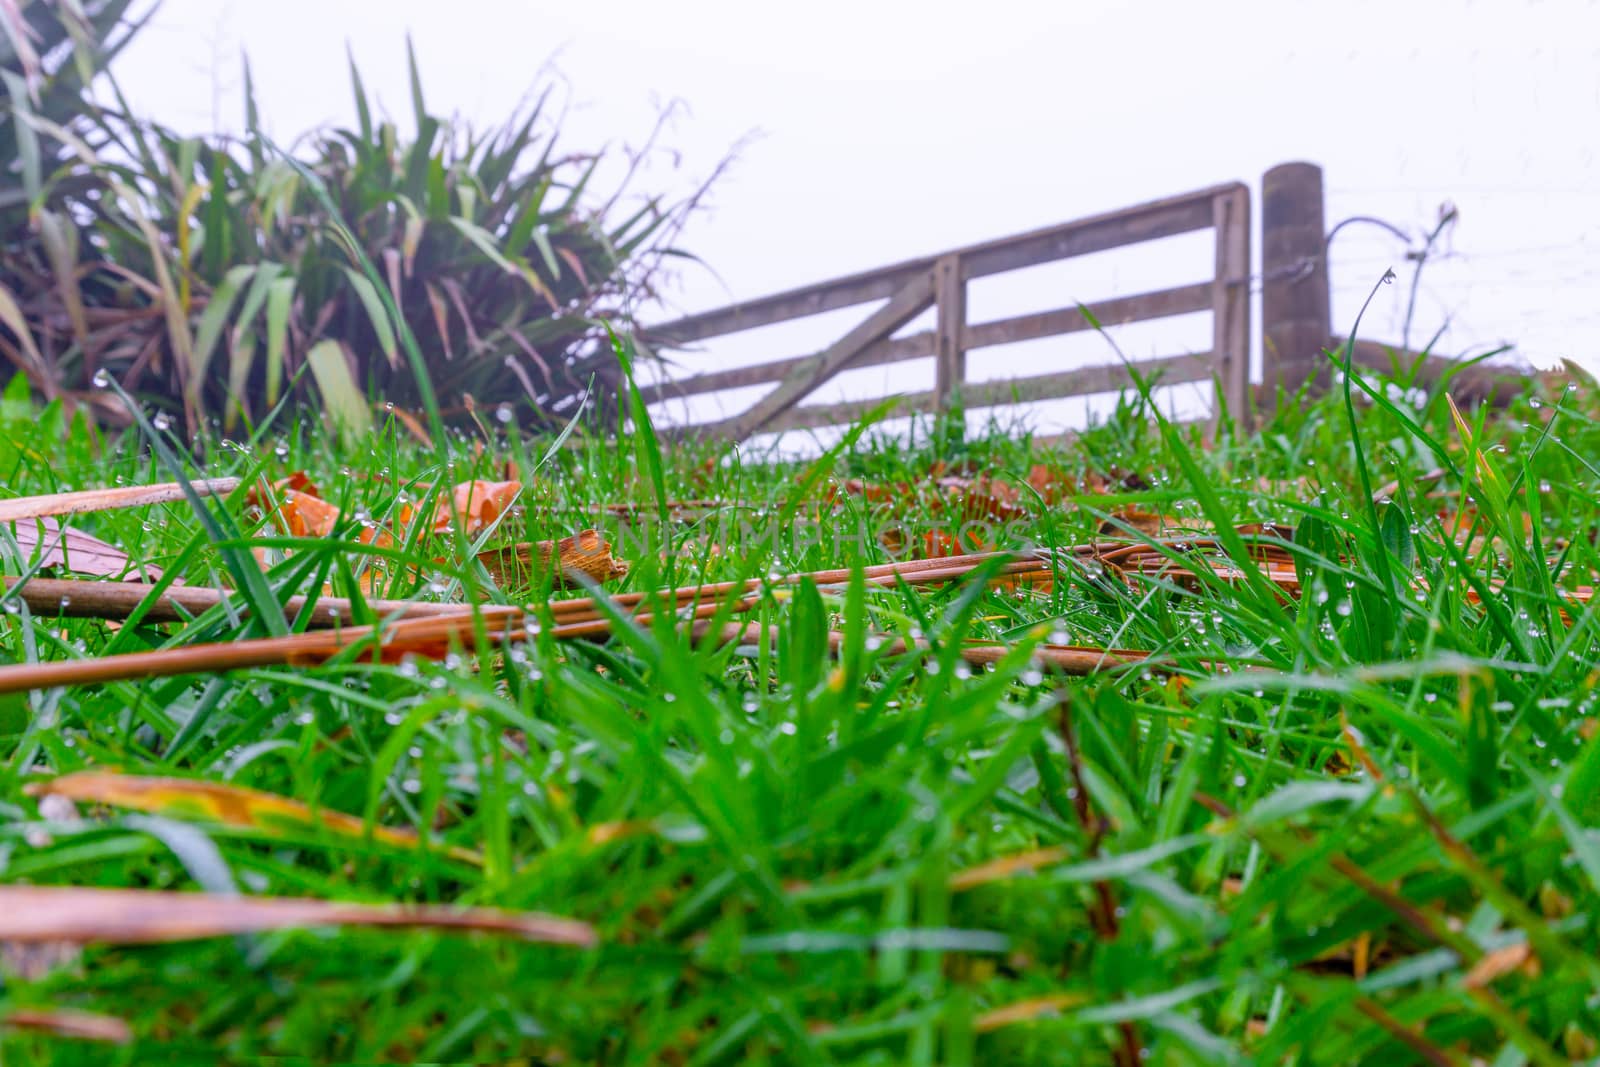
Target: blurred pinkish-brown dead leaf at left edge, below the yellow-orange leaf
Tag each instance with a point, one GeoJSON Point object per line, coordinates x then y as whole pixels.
{"type": "Point", "coordinates": [34, 914]}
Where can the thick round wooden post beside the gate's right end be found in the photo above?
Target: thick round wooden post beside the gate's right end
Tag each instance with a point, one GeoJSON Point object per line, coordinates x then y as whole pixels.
{"type": "Point", "coordinates": [1295, 318]}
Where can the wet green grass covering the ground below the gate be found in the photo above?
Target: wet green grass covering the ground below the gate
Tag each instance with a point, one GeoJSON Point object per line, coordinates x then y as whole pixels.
{"type": "Point", "coordinates": [1353, 823]}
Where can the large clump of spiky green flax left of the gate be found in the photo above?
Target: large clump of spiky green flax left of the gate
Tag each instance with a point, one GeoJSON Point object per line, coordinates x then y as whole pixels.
{"type": "Point", "coordinates": [206, 274]}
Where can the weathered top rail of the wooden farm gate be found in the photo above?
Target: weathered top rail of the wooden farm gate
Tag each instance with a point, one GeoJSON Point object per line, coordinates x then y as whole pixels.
{"type": "Point", "coordinates": [1127, 226]}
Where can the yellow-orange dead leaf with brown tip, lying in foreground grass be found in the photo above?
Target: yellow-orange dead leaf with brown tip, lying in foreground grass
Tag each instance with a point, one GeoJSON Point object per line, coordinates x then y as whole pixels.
{"type": "Point", "coordinates": [231, 805]}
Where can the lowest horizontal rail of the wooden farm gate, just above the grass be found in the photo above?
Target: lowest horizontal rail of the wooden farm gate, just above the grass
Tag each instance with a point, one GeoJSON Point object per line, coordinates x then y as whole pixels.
{"type": "Point", "coordinates": [1174, 370]}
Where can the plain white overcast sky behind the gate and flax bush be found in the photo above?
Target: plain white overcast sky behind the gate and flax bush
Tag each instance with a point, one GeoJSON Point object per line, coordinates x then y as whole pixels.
{"type": "Point", "coordinates": [894, 130]}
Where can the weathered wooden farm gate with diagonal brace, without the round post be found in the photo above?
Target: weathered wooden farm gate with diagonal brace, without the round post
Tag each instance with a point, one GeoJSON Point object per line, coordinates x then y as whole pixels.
{"type": "Point", "coordinates": [906, 290]}
